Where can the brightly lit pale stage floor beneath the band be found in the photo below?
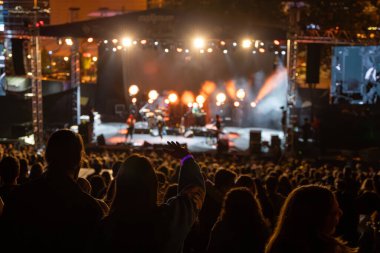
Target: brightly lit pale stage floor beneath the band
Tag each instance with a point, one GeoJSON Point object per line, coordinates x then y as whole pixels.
{"type": "Point", "coordinates": [238, 138]}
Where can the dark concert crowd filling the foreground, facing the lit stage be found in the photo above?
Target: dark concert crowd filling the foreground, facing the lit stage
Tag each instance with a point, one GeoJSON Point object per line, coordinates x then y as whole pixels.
{"type": "Point", "coordinates": [64, 200]}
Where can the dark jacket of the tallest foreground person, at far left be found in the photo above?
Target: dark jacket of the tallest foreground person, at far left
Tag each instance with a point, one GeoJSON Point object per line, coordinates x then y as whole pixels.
{"type": "Point", "coordinates": [50, 214]}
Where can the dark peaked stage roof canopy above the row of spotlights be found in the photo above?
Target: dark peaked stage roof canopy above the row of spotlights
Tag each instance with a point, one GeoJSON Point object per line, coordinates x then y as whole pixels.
{"type": "Point", "coordinates": [167, 24]}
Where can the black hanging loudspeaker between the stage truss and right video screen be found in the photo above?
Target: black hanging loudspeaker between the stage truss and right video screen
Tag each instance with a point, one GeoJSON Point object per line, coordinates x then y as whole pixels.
{"type": "Point", "coordinates": [313, 62]}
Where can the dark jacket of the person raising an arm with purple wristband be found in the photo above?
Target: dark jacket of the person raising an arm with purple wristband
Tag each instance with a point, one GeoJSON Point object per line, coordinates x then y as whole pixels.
{"type": "Point", "coordinates": [162, 230]}
